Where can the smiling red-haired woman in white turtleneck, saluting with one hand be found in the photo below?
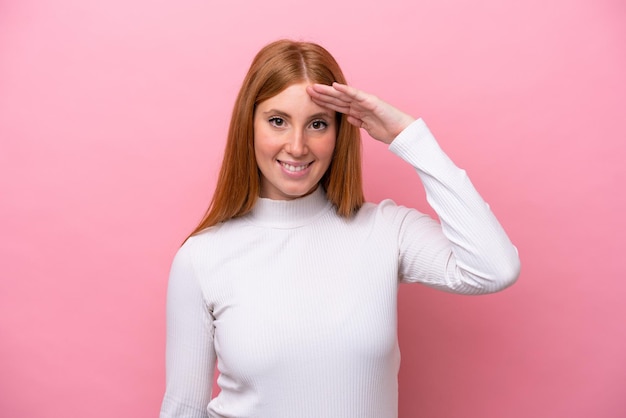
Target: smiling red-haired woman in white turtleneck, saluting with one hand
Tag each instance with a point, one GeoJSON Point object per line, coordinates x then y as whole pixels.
{"type": "Point", "coordinates": [290, 281]}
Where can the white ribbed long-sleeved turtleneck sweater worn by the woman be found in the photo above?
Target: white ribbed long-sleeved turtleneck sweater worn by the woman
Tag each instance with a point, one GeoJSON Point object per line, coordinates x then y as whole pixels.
{"type": "Point", "coordinates": [298, 305]}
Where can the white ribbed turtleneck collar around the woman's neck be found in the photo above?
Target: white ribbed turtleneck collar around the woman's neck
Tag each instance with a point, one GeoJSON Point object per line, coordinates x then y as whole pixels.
{"type": "Point", "coordinates": [287, 214]}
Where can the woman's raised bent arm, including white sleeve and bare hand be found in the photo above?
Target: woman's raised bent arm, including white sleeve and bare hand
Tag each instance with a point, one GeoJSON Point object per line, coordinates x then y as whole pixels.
{"type": "Point", "coordinates": [469, 252]}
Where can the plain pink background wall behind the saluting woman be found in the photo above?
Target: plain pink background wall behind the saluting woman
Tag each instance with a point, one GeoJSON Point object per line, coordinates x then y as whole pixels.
{"type": "Point", "coordinates": [112, 122]}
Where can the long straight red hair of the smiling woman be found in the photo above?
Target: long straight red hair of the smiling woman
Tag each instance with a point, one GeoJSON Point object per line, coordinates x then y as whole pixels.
{"type": "Point", "coordinates": [276, 67]}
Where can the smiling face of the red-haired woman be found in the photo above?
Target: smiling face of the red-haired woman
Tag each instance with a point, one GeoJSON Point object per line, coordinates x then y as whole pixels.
{"type": "Point", "coordinates": [294, 140]}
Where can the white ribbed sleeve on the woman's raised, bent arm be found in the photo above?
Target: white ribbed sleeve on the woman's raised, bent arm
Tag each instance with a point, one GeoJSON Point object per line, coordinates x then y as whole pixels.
{"type": "Point", "coordinates": [469, 252]}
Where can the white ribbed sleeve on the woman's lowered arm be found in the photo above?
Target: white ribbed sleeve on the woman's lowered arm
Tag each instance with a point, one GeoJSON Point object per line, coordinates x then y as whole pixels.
{"type": "Point", "coordinates": [190, 356]}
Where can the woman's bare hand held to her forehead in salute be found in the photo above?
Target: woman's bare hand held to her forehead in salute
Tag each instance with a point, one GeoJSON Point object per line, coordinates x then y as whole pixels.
{"type": "Point", "coordinates": [381, 120]}
